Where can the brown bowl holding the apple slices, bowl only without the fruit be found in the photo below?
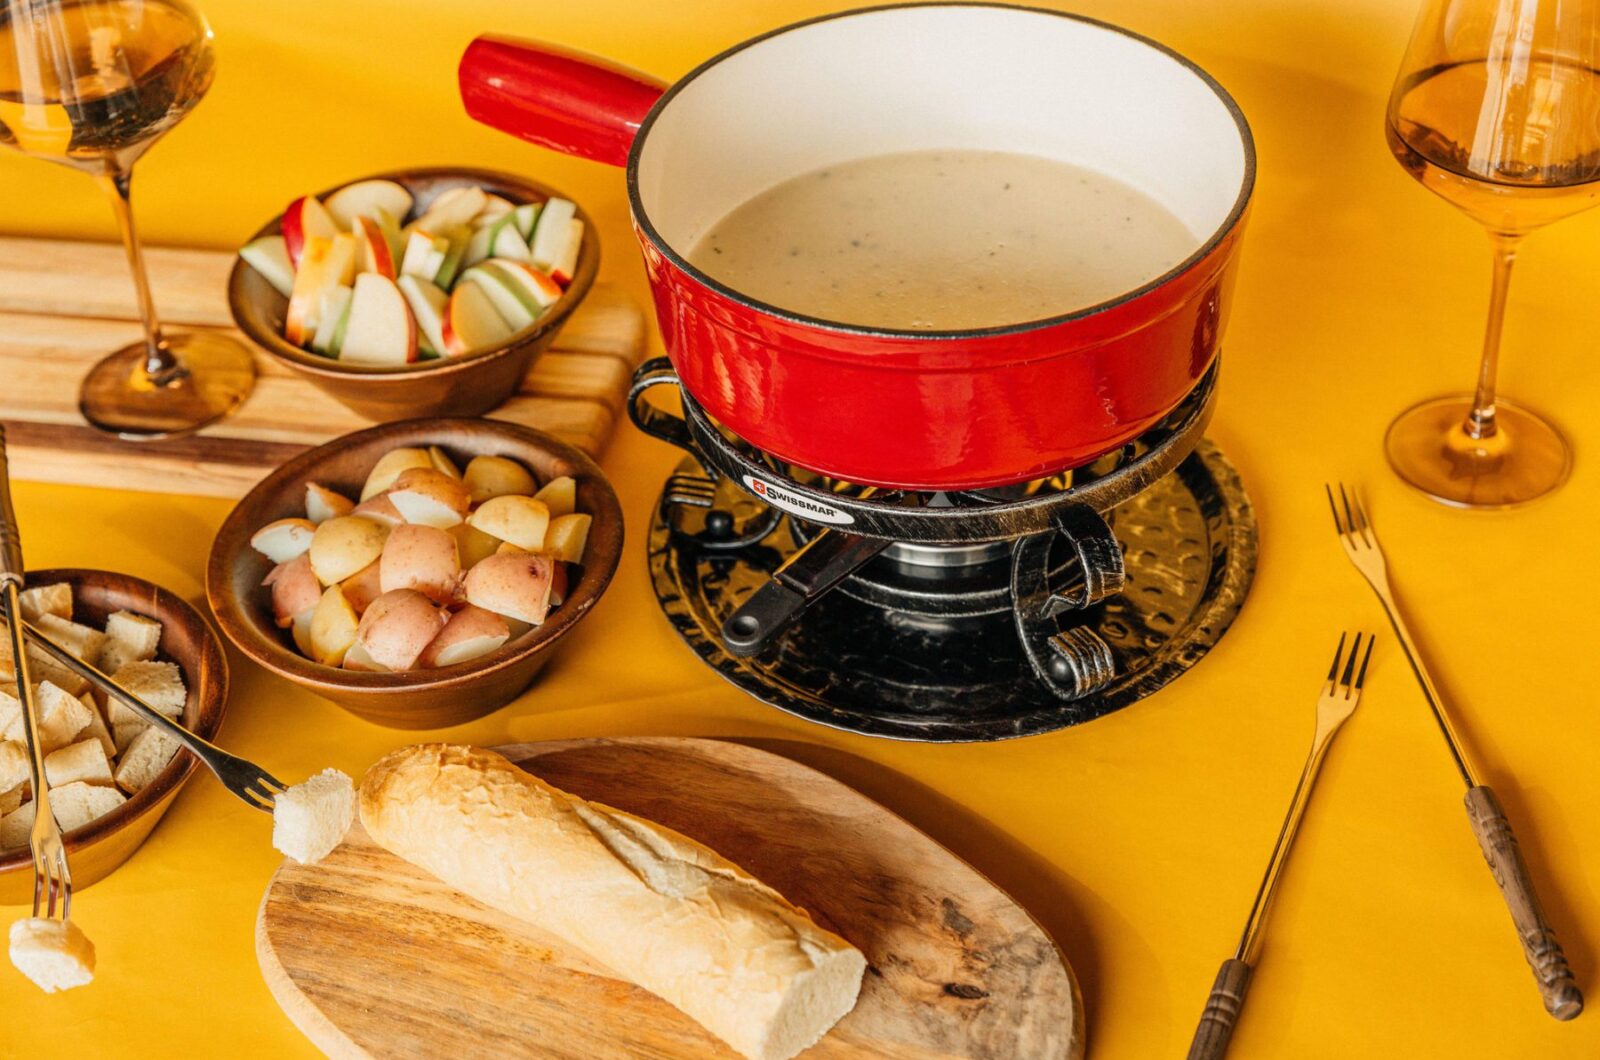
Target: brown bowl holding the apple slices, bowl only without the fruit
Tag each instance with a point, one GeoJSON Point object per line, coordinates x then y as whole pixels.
{"type": "Point", "coordinates": [450, 387]}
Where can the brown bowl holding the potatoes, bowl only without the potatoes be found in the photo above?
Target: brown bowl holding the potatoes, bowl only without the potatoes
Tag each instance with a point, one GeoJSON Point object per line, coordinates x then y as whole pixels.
{"type": "Point", "coordinates": [420, 699]}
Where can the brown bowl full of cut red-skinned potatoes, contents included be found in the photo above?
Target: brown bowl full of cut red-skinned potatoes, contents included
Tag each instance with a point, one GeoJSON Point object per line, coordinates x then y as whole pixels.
{"type": "Point", "coordinates": [418, 574]}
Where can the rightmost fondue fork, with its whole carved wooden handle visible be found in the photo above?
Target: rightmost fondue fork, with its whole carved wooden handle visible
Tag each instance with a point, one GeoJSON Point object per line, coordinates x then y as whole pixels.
{"type": "Point", "coordinates": [1561, 994]}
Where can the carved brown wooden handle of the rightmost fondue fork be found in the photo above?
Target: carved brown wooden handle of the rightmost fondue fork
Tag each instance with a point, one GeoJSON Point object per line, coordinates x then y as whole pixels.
{"type": "Point", "coordinates": [1545, 955]}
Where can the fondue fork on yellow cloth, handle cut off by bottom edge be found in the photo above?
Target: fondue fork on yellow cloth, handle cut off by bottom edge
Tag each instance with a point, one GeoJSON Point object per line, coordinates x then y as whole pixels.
{"type": "Point", "coordinates": [1337, 702]}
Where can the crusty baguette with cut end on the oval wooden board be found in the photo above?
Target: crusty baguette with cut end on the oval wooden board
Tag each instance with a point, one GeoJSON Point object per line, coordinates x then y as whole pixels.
{"type": "Point", "coordinates": [644, 901]}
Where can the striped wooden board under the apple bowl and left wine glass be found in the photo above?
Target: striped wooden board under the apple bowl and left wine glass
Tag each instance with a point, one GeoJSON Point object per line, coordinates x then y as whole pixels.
{"type": "Point", "coordinates": [63, 307]}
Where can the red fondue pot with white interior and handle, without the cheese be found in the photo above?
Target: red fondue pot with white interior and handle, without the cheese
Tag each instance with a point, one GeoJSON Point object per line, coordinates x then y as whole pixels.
{"type": "Point", "coordinates": [876, 406]}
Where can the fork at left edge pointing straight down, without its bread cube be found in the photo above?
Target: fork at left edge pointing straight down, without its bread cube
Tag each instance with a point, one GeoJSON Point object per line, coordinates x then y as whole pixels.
{"type": "Point", "coordinates": [52, 873]}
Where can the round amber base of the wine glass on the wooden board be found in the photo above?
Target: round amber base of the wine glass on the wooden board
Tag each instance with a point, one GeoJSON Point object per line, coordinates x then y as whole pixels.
{"type": "Point", "coordinates": [121, 398]}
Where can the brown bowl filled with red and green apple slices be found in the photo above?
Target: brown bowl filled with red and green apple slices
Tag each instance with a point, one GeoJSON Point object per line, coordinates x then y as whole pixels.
{"type": "Point", "coordinates": [420, 292]}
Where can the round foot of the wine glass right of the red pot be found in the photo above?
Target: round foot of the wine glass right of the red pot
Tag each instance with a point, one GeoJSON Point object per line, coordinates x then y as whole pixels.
{"type": "Point", "coordinates": [1431, 451]}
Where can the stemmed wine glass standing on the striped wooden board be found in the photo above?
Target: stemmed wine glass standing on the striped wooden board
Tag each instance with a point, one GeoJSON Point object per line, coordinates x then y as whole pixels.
{"type": "Point", "coordinates": [94, 84]}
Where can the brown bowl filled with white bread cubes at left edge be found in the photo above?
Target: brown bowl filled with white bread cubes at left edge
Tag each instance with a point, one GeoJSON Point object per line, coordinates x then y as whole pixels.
{"type": "Point", "coordinates": [111, 776]}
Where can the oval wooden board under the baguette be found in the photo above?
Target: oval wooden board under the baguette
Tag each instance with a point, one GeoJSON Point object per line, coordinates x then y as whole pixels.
{"type": "Point", "coordinates": [372, 957]}
